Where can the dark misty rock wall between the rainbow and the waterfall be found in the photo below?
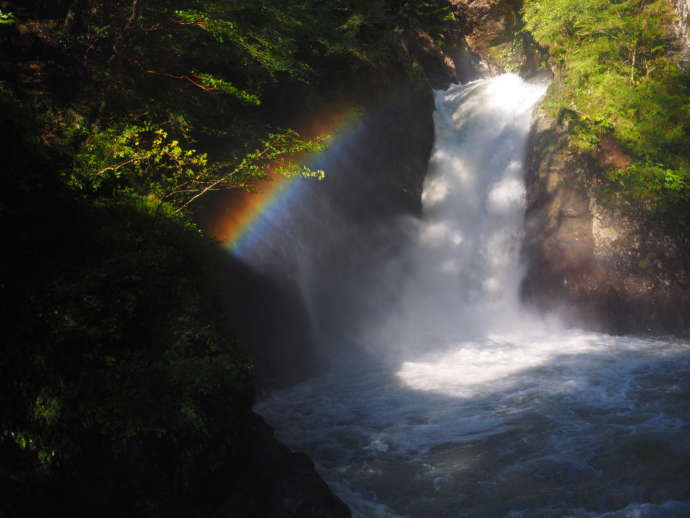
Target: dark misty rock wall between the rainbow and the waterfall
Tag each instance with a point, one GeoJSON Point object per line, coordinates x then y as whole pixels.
{"type": "Point", "coordinates": [374, 174]}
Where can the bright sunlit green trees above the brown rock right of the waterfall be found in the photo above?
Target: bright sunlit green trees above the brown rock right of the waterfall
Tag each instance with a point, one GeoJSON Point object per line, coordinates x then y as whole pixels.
{"type": "Point", "coordinates": [616, 76]}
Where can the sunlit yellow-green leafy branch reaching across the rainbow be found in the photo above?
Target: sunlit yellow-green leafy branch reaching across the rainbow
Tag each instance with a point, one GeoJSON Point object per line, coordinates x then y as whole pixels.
{"type": "Point", "coordinates": [144, 161]}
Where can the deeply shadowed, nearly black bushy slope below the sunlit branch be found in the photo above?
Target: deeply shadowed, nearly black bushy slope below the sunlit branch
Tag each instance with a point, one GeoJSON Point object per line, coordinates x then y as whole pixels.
{"type": "Point", "coordinates": [121, 385]}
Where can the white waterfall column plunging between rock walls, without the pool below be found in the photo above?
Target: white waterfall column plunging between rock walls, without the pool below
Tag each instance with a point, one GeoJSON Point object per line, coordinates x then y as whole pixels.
{"type": "Point", "coordinates": [462, 272]}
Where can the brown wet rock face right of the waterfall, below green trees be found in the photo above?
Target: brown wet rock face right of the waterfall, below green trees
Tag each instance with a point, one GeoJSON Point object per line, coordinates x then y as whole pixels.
{"type": "Point", "coordinates": [596, 263]}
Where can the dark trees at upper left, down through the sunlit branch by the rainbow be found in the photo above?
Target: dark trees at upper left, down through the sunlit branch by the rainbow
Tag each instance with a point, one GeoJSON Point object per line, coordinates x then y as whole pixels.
{"type": "Point", "coordinates": [187, 89]}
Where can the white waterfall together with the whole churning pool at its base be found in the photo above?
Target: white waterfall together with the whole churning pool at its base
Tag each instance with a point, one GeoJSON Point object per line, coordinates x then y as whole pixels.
{"type": "Point", "coordinates": [467, 406]}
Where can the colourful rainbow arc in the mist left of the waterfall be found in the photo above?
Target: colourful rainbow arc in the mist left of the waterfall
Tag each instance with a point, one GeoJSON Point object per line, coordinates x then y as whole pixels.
{"type": "Point", "coordinates": [243, 218]}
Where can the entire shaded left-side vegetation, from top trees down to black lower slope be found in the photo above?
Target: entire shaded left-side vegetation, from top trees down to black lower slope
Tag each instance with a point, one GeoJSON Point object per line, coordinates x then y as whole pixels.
{"type": "Point", "coordinates": [123, 392]}
